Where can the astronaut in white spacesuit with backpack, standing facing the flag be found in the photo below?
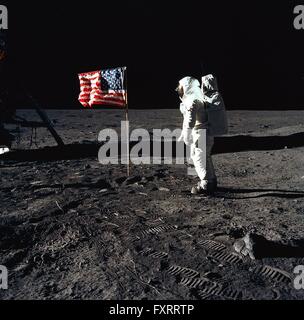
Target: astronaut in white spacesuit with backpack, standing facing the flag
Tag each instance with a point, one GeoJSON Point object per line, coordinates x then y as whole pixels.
{"type": "Point", "coordinates": [195, 104]}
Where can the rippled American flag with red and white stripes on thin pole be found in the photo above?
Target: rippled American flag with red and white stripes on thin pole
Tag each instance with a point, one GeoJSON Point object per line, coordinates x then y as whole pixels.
{"type": "Point", "coordinates": [105, 87]}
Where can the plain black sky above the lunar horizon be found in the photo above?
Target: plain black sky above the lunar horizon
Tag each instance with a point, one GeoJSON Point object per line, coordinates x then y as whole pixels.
{"type": "Point", "coordinates": [251, 46]}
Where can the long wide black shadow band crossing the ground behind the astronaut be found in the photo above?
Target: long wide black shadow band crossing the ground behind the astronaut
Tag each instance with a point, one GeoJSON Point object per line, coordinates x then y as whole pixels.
{"type": "Point", "coordinates": [222, 145]}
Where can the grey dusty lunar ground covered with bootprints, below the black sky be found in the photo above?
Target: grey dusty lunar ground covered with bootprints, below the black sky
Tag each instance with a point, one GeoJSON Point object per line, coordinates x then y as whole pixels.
{"type": "Point", "coordinates": [71, 228]}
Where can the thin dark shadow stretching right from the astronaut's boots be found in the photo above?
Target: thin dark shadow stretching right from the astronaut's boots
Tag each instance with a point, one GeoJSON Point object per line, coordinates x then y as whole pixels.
{"type": "Point", "coordinates": [230, 193]}
